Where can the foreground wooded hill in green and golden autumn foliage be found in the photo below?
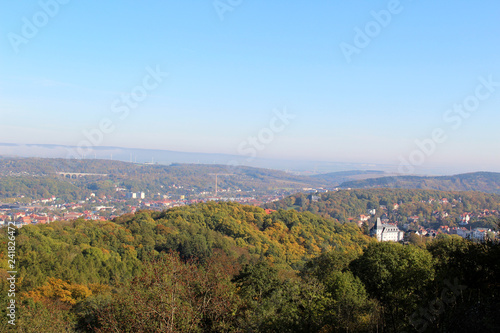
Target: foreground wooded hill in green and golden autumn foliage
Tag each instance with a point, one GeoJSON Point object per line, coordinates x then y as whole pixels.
{"type": "Point", "coordinates": [225, 267]}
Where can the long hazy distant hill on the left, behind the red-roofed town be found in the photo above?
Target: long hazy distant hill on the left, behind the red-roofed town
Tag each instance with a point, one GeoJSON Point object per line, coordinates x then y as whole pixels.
{"type": "Point", "coordinates": [37, 178]}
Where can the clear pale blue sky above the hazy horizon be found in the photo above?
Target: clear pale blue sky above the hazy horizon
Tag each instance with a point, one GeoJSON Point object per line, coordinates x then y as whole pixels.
{"type": "Point", "coordinates": [363, 80]}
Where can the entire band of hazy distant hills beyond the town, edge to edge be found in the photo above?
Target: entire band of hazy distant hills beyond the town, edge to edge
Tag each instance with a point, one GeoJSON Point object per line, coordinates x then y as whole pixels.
{"type": "Point", "coordinates": [37, 178]}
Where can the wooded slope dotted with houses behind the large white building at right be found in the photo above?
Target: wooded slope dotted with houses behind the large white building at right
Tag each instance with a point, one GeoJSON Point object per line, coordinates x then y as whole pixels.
{"type": "Point", "coordinates": [429, 207]}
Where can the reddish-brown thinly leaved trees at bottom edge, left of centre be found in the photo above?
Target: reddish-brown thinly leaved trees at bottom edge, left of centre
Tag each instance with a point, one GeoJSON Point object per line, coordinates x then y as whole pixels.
{"type": "Point", "coordinates": [172, 296]}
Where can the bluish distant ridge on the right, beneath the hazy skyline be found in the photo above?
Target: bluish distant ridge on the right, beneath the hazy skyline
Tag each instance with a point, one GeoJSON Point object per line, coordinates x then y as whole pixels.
{"type": "Point", "coordinates": [478, 181]}
